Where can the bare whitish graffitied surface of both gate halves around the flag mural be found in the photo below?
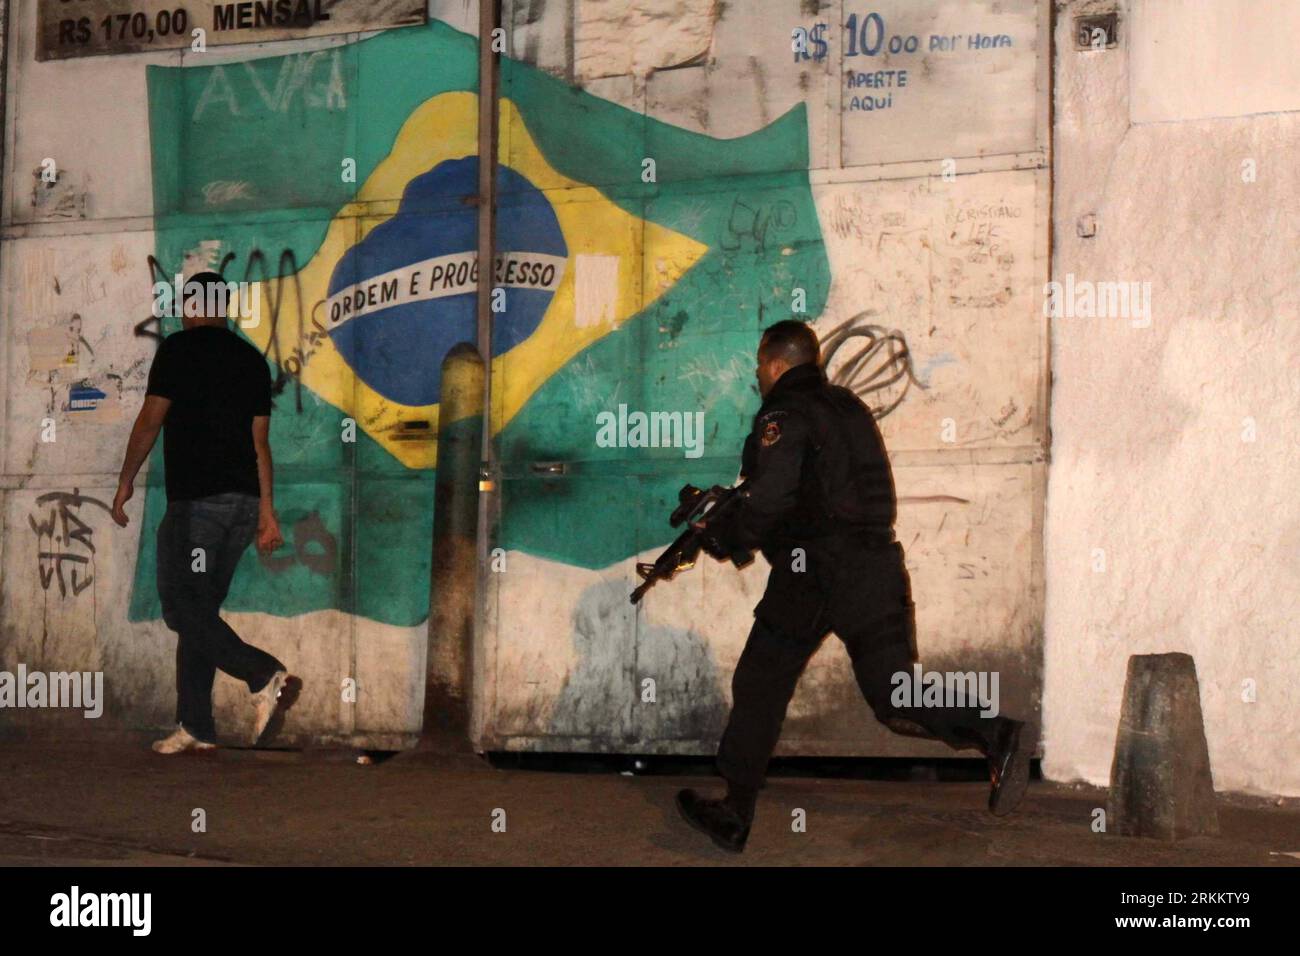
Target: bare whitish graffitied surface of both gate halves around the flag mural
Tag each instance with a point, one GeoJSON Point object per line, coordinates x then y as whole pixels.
{"type": "Point", "coordinates": [950, 263]}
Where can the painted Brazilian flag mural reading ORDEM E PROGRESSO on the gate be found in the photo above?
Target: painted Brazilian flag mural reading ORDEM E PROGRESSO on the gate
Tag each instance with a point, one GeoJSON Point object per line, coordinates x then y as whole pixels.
{"type": "Point", "coordinates": [638, 263]}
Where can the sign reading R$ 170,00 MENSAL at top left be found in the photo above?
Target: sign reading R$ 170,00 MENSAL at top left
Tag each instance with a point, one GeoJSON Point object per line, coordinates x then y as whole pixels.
{"type": "Point", "coordinates": [90, 28]}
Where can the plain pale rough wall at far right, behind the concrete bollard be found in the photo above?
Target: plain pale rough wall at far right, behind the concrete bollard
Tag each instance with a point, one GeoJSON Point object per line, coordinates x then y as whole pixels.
{"type": "Point", "coordinates": [1173, 522]}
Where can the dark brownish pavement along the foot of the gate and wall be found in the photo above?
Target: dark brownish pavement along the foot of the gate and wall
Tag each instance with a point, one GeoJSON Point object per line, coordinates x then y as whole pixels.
{"type": "Point", "coordinates": [120, 804]}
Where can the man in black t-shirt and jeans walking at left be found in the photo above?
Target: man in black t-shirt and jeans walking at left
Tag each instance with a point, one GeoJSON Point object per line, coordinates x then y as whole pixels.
{"type": "Point", "coordinates": [210, 393]}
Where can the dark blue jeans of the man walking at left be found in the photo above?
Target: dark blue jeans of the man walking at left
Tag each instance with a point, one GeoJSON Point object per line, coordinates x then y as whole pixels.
{"type": "Point", "coordinates": [200, 546]}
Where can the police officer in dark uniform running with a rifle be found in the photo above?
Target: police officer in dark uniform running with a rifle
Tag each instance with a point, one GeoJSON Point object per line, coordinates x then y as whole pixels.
{"type": "Point", "coordinates": [821, 507]}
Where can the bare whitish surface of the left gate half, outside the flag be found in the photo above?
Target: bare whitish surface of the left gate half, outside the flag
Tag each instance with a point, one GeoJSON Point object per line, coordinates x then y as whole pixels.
{"type": "Point", "coordinates": [79, 249]}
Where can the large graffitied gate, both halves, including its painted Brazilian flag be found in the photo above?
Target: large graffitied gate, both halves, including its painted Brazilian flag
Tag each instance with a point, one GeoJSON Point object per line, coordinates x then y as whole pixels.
{"type": "Point", "coordinates": [896, 197]}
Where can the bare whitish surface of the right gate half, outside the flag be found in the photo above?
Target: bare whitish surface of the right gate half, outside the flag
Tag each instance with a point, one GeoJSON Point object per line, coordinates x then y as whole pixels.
{"type": "Point", "coordinates": [952, 265]}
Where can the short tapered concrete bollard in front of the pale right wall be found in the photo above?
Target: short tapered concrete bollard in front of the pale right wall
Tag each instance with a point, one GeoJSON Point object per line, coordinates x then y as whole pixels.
{"type": "Point", "coordinates": [1160, 780]}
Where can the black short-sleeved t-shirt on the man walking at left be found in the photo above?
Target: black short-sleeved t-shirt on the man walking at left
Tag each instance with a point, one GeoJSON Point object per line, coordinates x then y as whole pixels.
{"type": "Point", "coordinates": [218, 384]}
